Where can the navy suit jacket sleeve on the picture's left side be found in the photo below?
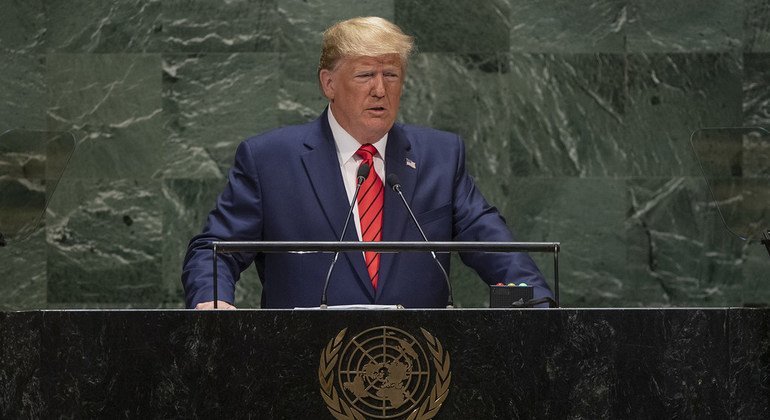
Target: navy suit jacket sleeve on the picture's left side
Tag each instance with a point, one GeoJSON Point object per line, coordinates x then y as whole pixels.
{"type": "Point", "coordinates": [237, 216]}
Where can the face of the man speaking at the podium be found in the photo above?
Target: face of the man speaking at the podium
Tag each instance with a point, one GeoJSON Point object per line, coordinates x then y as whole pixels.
{"type": "Point", "coordinates": [365, 93]}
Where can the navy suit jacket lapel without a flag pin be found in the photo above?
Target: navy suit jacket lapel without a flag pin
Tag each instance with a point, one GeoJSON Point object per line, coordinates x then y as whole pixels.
{"type": "Point", "coordinates": [323, 169]}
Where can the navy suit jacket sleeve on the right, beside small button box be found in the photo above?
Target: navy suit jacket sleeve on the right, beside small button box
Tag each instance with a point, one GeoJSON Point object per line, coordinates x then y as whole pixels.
{"type": "Point", "coordinates": [477, 220]}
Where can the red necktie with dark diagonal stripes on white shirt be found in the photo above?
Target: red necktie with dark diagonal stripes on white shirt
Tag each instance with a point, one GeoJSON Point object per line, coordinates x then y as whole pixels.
{"type": "Point", "coordinates": [370, 201]}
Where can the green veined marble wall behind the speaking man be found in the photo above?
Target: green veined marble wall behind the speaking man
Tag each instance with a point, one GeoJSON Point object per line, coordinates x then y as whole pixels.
{"type": "Point", "coordinates": [576, 114]}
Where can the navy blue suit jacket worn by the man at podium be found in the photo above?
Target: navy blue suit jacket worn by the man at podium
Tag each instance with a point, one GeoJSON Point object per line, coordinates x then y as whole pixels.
{"type": "Point", "coordinates": [286, 185]}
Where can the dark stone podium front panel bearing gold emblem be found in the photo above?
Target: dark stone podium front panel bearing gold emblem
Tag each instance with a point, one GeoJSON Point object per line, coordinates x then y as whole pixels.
{"type": "Point", "coordinates": [564, 363]}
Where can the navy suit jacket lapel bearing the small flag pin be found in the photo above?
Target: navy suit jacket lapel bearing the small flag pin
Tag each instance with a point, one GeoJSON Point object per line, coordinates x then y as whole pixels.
{"type": "Point", "coordinates": [395, 216]}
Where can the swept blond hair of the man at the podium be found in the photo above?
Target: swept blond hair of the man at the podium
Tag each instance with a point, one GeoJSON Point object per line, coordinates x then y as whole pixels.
{"type": "Point", "coordinates": [363, 36]}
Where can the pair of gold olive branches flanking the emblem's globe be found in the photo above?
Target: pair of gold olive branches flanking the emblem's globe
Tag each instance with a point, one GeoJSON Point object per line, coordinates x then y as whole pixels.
{"type": "Point", "coordinates": [342, 411]}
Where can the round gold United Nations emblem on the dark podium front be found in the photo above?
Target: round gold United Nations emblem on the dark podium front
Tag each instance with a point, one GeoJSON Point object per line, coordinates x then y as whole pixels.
{"type": "Point", "coordinates": [384, 373]}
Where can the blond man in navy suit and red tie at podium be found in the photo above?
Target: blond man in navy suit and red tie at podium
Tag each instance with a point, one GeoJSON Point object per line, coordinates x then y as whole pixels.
{"type": "Point", "coordinates": [297, 183]}
